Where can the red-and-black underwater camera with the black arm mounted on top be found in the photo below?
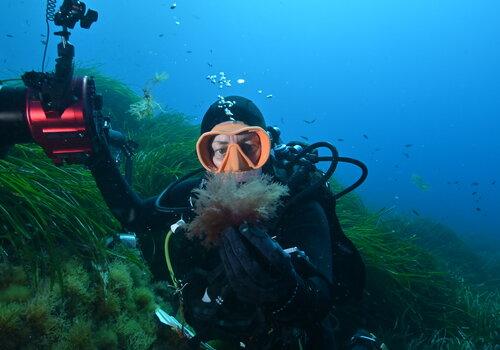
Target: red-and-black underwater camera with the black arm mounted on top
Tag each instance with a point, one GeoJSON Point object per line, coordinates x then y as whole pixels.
{"type": "Point", "coordinates": [59, 112]}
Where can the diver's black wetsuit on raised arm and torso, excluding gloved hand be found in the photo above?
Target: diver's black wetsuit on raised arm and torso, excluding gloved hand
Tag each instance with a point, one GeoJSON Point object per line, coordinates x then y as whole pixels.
{"type": "Point", "coordinates": [305, 226]}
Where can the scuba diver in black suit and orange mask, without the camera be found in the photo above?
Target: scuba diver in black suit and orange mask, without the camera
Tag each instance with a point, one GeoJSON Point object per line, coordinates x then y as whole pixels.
{"type": "Point", "coordinates": [266, 284]}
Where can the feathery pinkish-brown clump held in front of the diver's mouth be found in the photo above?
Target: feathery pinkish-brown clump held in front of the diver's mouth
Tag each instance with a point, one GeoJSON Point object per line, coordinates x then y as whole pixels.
{"type": "Point", "coordinates": [223, 202]}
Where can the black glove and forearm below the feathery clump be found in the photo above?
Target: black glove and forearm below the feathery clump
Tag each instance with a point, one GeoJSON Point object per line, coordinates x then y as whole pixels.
{"type": "Point", "coordinates": [262, 273]}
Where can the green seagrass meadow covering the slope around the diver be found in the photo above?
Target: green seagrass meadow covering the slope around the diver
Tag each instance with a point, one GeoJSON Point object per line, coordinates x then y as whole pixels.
{"type": "Point", "coordinates": [61, 287]}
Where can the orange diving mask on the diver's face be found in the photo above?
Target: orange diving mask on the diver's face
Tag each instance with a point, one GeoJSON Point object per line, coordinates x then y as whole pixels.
{"type": "Point", "coordinates": [233, 147]}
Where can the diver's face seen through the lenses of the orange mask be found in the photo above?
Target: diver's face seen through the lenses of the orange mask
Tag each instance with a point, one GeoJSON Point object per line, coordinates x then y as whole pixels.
{"type": "Point", "coordinates": [248, 142]}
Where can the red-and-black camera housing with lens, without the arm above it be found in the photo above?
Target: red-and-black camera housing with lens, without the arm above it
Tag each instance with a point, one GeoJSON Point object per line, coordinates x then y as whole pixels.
{"type": "Point", "coordinates": [66, 134]}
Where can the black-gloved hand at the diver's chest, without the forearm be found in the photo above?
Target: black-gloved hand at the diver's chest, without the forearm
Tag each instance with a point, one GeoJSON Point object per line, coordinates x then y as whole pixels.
{"type": "Point", "coordinates": [258, 269]}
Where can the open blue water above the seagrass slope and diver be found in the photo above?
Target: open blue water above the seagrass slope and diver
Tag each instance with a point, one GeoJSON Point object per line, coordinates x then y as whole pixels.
{"type": "Point", "coordinates": [423, 73]}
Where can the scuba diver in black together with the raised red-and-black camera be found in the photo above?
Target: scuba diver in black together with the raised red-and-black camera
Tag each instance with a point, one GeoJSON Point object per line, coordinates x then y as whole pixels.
{"type": "Point", "coordinates": [260, 281]}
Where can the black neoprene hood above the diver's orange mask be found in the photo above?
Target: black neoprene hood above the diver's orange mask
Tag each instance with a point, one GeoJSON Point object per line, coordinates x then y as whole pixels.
{"type": "Point", "coordinates": [243, 110]}
